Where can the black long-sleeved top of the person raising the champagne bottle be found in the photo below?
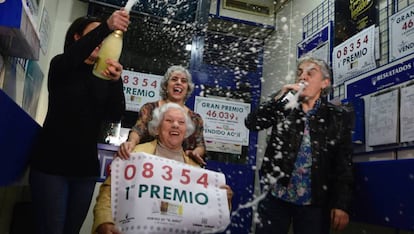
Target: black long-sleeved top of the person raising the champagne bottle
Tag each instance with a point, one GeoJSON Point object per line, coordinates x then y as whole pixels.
{"type": "Point", "coordinates": [78, 104]}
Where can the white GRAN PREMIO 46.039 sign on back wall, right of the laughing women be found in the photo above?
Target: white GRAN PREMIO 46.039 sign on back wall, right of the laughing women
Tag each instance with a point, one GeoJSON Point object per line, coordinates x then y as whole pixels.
{"type": "Point", "coordinates": [223, 120]}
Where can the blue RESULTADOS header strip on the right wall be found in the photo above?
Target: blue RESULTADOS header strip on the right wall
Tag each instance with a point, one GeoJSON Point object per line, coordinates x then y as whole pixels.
{"type": "Point", "coordinates": [397, 74]}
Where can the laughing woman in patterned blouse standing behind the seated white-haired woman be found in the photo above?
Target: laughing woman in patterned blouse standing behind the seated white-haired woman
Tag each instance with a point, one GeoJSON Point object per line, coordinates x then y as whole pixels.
{"type": "Point", "coordinates": [176, 87]}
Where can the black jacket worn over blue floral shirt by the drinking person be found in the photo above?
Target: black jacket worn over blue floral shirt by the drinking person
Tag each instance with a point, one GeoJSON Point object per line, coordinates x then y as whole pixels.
{"type": "Point", "coordinates": [331, 143]}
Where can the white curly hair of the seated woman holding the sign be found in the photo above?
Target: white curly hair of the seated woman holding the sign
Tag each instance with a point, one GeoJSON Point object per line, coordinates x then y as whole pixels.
{"type": "Point", "coordinates": [158, 116]}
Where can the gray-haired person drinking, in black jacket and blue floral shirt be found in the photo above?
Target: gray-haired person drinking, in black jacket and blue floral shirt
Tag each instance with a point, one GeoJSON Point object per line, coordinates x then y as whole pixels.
{"type": "Point", "coordinates": [310, 153]}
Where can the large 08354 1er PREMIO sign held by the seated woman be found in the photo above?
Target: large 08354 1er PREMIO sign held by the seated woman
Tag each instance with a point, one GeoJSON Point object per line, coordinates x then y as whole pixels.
{"type": "Point", "coordinates": [152, 194]}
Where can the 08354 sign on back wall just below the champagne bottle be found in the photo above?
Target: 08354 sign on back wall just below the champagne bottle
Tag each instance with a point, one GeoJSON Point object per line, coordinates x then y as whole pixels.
{"type": "Point", "coordinates": [140, 88]}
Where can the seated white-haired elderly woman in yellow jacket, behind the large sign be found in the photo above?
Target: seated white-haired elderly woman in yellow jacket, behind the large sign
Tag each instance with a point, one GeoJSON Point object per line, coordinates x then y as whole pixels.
{"type": "Point", "coordinates": [170, 125]}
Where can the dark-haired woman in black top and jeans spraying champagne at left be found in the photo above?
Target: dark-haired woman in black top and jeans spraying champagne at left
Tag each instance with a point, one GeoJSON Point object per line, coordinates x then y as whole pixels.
{"type": "Point", "coordinates": [64, 163]}
